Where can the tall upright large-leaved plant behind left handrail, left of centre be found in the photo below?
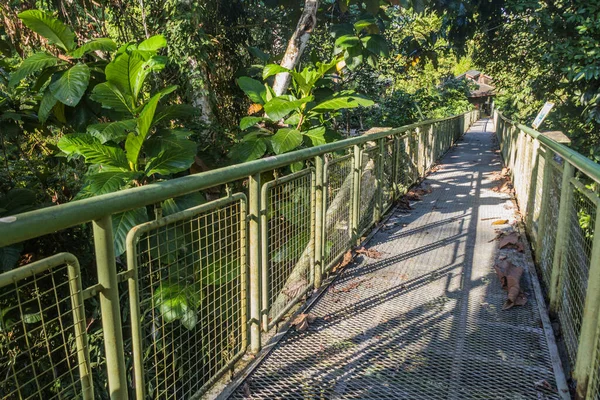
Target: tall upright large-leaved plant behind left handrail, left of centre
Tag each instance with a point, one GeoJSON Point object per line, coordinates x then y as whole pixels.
{"type": "Point", "coordinates": [139, 147]}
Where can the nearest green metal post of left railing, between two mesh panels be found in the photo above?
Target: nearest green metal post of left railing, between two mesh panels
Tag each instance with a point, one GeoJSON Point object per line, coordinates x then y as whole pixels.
{"type": "Point", "coordinates": [111, 308]}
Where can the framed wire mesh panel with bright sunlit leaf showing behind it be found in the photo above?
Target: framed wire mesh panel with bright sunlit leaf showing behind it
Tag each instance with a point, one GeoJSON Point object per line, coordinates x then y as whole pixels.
{"type": "Point", "coordinates": [189, 297]}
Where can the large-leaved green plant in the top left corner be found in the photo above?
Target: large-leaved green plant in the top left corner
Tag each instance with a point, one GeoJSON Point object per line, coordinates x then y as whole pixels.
{"type": "Point", "coordinates": [65, 72]}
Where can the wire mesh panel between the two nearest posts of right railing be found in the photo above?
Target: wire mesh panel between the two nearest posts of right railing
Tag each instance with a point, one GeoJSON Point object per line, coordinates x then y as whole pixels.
{"type": "Point", "coordinates": [582, 214]}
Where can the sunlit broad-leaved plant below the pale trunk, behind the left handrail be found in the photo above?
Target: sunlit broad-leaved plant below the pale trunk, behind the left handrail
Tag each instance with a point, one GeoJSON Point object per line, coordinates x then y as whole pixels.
{"type": "Point", "coordinates": [291, 120]}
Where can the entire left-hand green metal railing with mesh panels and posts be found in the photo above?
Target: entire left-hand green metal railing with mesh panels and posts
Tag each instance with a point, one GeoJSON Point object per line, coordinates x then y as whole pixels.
{"type": "Point", "coordinates": [197, 287]}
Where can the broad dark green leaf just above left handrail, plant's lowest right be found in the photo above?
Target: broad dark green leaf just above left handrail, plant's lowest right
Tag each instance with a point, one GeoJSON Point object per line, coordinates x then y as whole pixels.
{"type": "Point", "coordinates": [172, 159]}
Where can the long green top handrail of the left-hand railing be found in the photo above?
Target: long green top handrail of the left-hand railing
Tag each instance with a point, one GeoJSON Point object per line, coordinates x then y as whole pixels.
{"type": "Point", "coordinates": [43, 221]}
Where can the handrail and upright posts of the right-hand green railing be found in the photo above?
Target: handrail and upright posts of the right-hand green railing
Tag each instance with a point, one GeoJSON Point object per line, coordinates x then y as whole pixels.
{"type": "Point", "coordinates": [574, 167]}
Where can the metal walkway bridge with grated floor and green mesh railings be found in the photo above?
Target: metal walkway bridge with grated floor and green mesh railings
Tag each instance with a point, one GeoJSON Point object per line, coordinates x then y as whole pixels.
{"type": "Point", "coordinates": [366, 274]}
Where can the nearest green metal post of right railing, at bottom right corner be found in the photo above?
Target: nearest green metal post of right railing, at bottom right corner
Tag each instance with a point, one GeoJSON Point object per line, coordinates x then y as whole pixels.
{"type": "Point", "coordinates": [589, 322]}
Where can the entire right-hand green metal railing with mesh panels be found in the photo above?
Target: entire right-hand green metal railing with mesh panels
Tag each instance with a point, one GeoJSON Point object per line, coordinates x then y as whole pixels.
{"type": "Point", "coordinates": [558, 192]}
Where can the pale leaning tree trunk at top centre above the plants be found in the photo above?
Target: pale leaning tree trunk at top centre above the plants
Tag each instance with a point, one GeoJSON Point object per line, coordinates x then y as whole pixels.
{"type": "Point", "coordinates": [297, 44]}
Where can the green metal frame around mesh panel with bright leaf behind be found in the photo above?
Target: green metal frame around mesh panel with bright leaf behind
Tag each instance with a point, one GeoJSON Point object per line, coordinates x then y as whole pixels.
{"type": "Point", "coordinates": [133, 238]}
